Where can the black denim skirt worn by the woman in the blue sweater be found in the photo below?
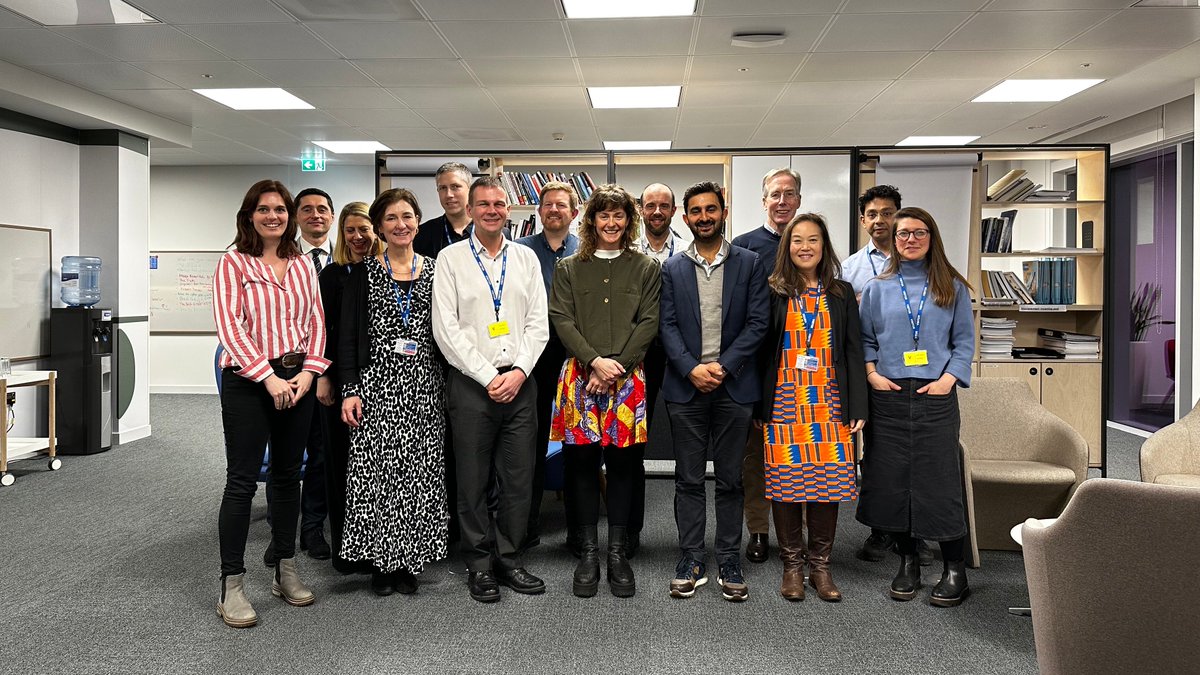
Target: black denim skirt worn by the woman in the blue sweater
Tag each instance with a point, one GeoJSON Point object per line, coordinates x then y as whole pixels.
{"type": "Point", "coordinates": [913, 465]}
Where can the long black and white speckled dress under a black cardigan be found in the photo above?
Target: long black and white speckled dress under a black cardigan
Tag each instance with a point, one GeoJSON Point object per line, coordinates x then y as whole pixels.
{"type": "Point", "coordinates": [395, 491]}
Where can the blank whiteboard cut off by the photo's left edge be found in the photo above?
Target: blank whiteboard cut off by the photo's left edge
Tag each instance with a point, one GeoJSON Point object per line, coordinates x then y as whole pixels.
{"type": "Point", "coordinates": [25, 292]}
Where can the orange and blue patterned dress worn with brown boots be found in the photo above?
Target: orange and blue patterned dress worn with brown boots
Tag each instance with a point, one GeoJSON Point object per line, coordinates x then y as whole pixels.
{"type": "Point", "coordinates": [808, 452]}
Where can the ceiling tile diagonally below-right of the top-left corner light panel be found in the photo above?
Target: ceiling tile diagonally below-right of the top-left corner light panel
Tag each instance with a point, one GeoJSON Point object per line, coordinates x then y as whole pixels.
{"type": "Point", "coordinates": [262, 41]}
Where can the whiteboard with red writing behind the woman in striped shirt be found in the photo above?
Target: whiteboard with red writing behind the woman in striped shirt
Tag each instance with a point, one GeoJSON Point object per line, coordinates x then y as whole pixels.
{"type": "Point", "coordinates": [182, 291]}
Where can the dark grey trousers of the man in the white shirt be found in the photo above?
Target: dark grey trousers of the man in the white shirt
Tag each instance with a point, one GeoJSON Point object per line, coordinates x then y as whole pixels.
{"type": "Point", "coordinates": [493, 439]}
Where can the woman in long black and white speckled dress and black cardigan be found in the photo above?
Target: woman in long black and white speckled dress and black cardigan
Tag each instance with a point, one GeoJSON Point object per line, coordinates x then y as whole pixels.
{"type": "Point", "coordinates": [393, 391]}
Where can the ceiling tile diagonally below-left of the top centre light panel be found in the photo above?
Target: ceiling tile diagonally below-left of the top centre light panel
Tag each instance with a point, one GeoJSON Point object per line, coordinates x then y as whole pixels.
{"type": "Point", "coordinates": [479, 40]}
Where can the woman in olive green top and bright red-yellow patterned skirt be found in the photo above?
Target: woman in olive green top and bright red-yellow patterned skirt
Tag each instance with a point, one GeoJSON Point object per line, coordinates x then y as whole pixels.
{"type": "Point", "coordinates": [605, 308]}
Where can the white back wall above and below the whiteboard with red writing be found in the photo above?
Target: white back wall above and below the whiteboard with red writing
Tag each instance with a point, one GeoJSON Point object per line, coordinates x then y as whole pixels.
{"type": "Point", "coordinates": [194, 210]}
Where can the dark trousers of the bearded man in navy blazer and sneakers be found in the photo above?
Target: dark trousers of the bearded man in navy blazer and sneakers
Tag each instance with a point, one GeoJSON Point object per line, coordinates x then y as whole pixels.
{"type": "Point", "coordinates": [710, 425]}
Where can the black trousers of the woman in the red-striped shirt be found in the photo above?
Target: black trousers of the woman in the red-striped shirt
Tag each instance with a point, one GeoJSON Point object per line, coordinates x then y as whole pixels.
{"type": "Point", "coordinates": [250, 421]}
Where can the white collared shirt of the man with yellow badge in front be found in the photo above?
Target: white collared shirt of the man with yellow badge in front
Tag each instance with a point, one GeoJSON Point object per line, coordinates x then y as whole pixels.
{"type": "Point", "coordinates": [464, 309]}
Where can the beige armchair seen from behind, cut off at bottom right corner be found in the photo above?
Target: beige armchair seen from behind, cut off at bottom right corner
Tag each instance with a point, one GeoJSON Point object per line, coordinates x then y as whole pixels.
{"type": "Point", "coordinates": [1113, 583]}
